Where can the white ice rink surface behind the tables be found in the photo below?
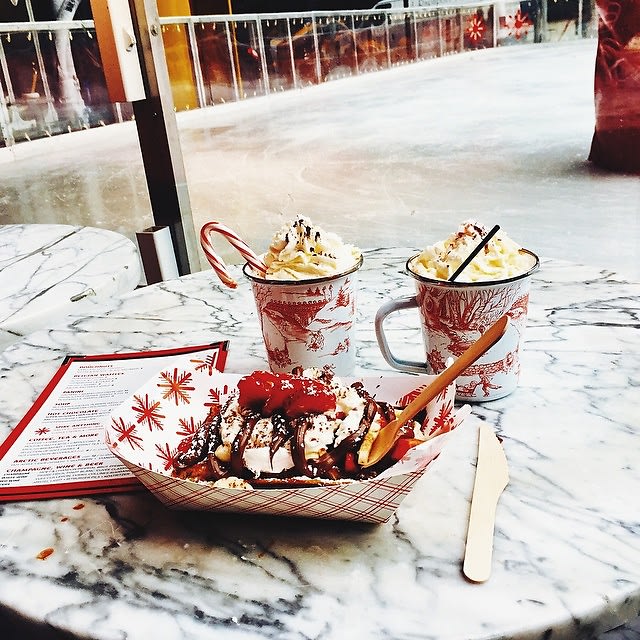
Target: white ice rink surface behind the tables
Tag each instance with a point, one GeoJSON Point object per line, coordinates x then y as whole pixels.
{"type": "Point", "coordinates": [397, 157]}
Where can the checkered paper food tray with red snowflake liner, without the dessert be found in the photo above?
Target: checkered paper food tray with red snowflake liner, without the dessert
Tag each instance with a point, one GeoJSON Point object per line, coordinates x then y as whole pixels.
{"type": "Point", "coordinates": [146, 431]}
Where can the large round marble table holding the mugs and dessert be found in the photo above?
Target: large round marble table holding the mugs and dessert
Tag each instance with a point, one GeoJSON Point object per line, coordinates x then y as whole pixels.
{"type": "Point", "coordinates": [566, 560]}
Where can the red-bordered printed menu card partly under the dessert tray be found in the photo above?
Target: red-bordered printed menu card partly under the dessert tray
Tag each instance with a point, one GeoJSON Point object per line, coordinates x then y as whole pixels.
{"type": "Point", "coordinates": [58, 448]}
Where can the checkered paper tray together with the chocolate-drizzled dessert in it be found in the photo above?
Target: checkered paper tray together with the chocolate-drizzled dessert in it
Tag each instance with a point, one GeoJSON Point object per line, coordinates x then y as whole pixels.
{"type": "Point", "coordinates": [152, 431]}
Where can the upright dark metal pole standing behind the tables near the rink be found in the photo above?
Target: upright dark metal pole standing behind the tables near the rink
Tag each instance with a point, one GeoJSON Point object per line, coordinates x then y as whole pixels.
{"type": "Point", "coordinates": [159, 139]}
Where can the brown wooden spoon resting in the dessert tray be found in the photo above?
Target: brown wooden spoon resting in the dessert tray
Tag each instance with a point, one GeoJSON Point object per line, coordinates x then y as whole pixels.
{"type": "Point", "coordinates": [388, 435]}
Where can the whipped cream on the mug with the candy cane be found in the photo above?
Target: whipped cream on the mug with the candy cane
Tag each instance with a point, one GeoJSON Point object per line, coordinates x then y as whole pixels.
{"type": "Point", "coordinates": [301, 250]}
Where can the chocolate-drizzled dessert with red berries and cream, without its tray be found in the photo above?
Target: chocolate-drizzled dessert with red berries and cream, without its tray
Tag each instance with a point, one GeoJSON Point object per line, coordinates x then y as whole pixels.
{"type": "Point", "coordinates": [296, 429]}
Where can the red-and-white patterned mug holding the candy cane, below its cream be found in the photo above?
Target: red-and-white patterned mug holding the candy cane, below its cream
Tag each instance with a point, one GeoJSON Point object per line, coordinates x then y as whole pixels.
{"type": "Point", "coordinates": [308, 323]}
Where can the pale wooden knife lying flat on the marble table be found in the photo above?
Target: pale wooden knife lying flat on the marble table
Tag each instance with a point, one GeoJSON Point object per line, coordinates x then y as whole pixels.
{"type": "Point", "coordinates": [492, 476]}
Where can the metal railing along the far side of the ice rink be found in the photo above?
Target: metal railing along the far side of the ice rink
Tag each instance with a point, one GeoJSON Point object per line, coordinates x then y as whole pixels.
{"type": "Point", "coordinates": [51, 78]}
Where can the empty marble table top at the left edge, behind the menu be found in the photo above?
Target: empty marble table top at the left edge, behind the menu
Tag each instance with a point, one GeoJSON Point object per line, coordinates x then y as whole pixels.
{"type": "Point", "coordinates": [50, 270]}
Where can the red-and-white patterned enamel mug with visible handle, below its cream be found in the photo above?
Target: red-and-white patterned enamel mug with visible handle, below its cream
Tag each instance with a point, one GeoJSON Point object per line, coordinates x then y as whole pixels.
{"type": "Point", "coordinates": [455, 314]}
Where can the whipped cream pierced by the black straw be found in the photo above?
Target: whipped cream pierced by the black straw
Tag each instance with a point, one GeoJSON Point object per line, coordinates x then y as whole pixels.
{"type": "Point", "coordinates": [501, 258]}
